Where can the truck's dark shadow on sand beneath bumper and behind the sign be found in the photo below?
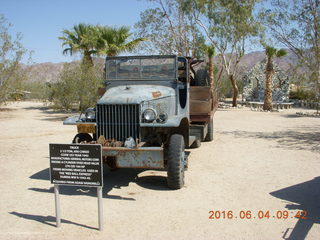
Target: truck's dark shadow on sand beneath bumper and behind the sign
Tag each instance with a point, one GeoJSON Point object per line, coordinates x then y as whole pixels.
{"type": "Point", "coordinates": [112, 179]}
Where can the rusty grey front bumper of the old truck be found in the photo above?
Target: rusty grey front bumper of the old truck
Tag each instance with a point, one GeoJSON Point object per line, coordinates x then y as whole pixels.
{"type": "Point", "coordinates": [147, 157]}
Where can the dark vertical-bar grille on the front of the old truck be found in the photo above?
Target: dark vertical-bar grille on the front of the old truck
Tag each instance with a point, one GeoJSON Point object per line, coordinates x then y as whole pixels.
{"type": "Point", "coordinates": [118, 121]}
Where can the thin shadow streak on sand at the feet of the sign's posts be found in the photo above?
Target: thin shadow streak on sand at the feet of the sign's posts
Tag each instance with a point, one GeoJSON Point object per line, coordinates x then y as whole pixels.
{"type": "Point", "coordinates": [49, 220]}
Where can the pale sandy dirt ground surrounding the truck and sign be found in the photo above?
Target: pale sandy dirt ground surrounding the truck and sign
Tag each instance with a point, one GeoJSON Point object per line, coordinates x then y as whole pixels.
{"type": "Point", "coordinates": [258, 161]}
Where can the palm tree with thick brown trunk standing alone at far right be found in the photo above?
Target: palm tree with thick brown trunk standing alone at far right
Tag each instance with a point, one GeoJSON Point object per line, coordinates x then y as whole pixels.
{"type": "Point", "coordinates": [271, 53]}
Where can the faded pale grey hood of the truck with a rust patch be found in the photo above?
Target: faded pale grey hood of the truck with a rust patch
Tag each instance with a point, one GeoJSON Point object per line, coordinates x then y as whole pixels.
{"type": "Point", "coordinates": [135, 94]}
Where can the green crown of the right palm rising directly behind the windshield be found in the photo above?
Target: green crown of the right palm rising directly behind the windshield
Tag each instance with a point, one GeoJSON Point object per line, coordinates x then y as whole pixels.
{"type": "Point", "coordinates": [113, 41]}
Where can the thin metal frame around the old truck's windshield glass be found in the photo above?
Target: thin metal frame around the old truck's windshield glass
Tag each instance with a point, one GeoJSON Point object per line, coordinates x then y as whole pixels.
{"type": "Point", "coordinates": [169, 78]}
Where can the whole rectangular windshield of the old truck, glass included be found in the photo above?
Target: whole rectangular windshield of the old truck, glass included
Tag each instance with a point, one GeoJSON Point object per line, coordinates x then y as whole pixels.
{"type": "Point", "coordinates": [140, 68]}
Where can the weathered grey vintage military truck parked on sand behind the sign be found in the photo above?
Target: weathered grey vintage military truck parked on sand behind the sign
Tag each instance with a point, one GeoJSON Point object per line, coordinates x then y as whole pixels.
{"type": "Point", "coordinates": [151, 109]}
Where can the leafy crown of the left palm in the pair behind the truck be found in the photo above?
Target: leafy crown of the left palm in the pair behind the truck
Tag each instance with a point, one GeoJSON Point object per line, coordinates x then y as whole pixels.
{"type": "Point", "coordinates": [82, 38]}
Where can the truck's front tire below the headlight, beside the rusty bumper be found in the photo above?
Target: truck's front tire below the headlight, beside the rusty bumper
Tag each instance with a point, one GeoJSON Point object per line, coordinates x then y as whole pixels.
{"type": "Point", "coordinates": [175, 161]}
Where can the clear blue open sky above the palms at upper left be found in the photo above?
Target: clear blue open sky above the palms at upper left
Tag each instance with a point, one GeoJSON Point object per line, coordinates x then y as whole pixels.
{"type": "Point", "coordinates": [42, 21]}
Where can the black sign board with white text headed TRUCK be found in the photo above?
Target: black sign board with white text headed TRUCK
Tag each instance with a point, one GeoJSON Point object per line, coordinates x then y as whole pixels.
{"type": "Point", "coordinates": [76, 164]}
